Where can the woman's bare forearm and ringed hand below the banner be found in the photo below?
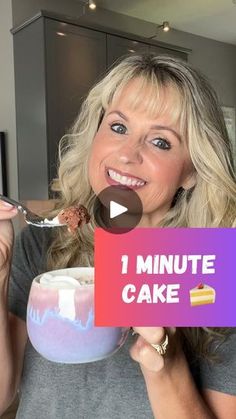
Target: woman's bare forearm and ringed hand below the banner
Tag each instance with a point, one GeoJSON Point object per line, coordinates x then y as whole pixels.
{"type": "Point", "coordinates": [171, 389]}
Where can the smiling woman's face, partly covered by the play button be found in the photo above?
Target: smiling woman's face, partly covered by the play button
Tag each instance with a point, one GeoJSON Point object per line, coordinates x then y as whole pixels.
{"type": "Point", "coordinates": [146, 154]}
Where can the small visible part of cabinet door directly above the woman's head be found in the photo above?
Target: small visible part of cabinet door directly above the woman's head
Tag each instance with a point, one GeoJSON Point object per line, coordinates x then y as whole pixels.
{"type": "Point", "coordinates": [118, 47]}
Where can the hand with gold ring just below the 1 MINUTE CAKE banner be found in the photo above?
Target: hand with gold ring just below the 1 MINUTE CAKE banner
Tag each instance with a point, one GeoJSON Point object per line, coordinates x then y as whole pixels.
{"type": "Point", "coordinates": [143, 352]}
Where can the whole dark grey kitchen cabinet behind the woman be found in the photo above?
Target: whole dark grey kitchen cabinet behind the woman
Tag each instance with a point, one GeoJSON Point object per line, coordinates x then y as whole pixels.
{"type": "Point", "coordinates": [56, 63]}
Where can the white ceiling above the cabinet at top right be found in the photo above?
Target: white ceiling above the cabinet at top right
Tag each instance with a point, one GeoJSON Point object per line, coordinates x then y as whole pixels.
{"type": "Point", "coordinates": [215, 19]}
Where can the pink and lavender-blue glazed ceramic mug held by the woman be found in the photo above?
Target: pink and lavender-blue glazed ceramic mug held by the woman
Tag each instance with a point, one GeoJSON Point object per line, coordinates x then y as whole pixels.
{"type": "Point", "coordinates": [60, 322]}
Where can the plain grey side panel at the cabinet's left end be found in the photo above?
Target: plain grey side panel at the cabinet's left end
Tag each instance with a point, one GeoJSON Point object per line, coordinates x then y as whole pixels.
{"type": "Point", "coordinates": [31, 120]}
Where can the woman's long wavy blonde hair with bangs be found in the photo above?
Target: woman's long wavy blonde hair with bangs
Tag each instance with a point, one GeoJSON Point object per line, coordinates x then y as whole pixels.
{"type": "Point", "coordinates": [210, 203]}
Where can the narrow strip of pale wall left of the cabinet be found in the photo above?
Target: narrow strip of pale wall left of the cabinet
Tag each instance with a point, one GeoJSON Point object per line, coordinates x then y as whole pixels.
{"type": "Point", "coordinates": [7, 95]}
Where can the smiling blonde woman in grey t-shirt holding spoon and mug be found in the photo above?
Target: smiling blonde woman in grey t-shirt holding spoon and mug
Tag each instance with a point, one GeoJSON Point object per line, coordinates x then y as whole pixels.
{"type": "Point", "coordinates": [154, 124]}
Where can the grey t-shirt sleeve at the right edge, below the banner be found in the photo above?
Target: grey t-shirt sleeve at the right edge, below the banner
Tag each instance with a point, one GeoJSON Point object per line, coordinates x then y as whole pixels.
{"type": "Point", "coordinates": [221, 376]}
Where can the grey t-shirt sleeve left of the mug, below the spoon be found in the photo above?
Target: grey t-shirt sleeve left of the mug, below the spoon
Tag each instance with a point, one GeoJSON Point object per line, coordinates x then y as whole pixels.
{"type": "Point", "coordinates": [28, 261]}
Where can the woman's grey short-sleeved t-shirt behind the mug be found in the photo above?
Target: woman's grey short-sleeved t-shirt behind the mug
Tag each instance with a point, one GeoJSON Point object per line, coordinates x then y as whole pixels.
{"type": "Point", "coordinates": [111, 388]}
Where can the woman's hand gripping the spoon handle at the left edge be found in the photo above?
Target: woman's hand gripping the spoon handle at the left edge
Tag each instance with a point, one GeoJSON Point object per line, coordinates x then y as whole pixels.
{"type": "Point", "coordinates": [7, 212]}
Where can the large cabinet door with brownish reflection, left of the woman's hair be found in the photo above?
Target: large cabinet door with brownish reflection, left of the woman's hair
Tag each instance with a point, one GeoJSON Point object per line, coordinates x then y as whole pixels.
{"type": "Point", "coordinates": [75, 60]}
